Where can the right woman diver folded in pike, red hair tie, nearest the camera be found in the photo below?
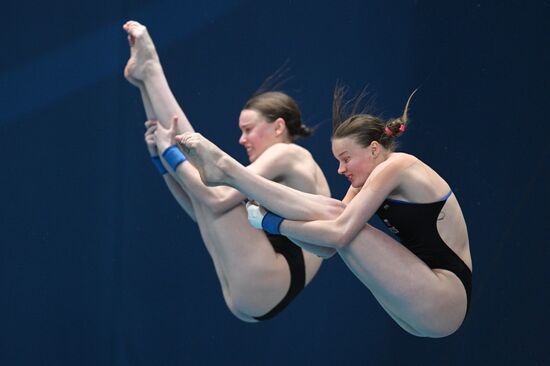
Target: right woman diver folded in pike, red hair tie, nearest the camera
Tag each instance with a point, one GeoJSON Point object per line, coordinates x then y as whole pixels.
{"type": "Point", "coordinates": [423, 279]}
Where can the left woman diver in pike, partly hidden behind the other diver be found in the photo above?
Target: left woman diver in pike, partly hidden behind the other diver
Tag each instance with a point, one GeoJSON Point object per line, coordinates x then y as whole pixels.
{"type": "Point", "coordinates": [259, 273]}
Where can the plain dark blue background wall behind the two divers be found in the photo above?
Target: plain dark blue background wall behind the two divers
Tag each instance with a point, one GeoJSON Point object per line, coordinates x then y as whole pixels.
{"type": "Point", "coordinates": [99, 266]}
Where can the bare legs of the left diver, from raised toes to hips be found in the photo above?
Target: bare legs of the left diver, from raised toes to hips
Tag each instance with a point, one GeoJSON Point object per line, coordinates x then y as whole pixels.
{"type": "Point", "coordinates": [254, 278]}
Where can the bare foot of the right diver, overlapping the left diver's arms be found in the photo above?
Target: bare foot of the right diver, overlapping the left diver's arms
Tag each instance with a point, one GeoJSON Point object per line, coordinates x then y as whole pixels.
{"type": "Point", "coordinates": [206, 157]}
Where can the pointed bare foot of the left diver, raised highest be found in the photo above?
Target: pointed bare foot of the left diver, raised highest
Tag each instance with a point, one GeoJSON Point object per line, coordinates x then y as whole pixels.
{"type": "Point", "coordinates": [142, 52]}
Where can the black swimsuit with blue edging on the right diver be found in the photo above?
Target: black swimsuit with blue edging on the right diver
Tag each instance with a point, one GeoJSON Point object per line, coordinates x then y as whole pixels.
{"type": "Point", "coordinates": [416, 226]}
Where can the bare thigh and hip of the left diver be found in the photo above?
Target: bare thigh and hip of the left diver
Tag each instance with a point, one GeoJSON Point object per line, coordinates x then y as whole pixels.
{"type": "Point", "coordinates": [254, 278]}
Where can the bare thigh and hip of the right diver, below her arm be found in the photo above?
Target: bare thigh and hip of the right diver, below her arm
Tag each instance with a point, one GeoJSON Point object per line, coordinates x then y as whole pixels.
{"type": "Point", "coordinates": [424, 302]}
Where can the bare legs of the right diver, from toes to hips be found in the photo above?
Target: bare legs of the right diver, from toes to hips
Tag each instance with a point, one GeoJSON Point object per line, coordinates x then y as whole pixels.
{"type": "Point", "coordinates": [423, 301]}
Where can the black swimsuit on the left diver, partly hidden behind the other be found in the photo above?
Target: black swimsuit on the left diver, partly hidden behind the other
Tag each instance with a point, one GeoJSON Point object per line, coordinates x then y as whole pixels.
{"type": "Point", "coordinates": [295, 258]}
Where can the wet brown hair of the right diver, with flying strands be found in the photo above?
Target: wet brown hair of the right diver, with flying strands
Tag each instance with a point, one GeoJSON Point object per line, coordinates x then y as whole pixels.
{"type": "Point", "coordinates": [363, 127]}
